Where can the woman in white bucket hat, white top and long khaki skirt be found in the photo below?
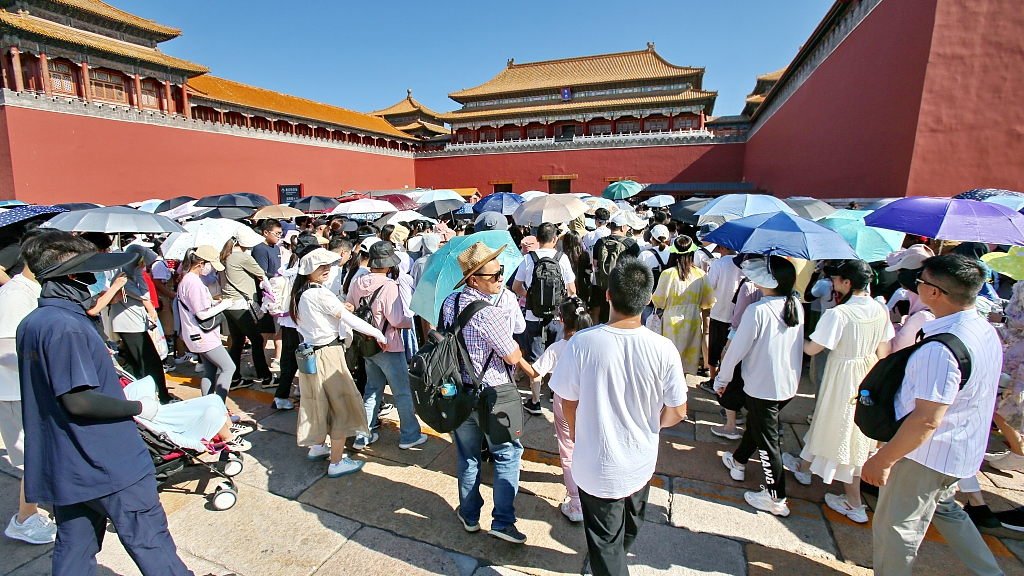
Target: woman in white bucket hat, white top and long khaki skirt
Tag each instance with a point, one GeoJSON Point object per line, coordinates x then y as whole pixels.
{"type": "Point", "coordinates": [331, 407]}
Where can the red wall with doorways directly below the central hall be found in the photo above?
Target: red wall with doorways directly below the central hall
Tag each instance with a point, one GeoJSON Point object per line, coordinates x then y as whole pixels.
{"type": "Point", "coordinates": [701, 163]}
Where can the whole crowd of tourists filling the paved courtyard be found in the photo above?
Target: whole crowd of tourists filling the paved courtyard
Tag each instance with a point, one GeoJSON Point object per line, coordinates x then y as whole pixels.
{"type": "Point", "coordinates": [609, 313]}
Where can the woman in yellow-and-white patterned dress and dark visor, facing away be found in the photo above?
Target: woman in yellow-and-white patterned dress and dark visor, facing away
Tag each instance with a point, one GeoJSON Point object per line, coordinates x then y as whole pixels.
{"type": "Point", "coordinates": [687, 297]}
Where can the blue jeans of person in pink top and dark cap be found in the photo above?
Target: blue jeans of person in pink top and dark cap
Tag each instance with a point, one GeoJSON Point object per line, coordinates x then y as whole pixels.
{"type": "Point", "coordinates": [391, 367]}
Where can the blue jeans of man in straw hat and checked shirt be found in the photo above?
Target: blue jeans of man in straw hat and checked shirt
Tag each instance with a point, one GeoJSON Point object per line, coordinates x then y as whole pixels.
{"type": "Point", "coordinates": [468, 439]}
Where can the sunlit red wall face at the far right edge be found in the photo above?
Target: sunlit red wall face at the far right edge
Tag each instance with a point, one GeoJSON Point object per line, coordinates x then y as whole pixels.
{"type": "Point", "coordinates": [971, 129]}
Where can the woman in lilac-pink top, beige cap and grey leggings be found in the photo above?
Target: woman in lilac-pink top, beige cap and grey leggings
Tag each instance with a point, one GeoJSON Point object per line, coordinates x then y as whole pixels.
{"type": "Point", "coordinates": [195, 308]}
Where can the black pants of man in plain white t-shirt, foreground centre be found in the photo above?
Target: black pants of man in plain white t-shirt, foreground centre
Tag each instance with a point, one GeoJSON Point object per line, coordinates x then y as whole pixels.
{"type": "Point", "coordinates": [612, 526]}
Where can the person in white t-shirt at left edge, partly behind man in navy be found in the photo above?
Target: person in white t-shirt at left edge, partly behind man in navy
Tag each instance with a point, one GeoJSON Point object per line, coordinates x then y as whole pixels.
{"type": "Point", "coordinates": [19, 298]}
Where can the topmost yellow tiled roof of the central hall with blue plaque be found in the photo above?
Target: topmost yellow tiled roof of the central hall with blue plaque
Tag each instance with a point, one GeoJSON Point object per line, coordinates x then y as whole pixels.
{"type": "Point", "coordinates": [621, 67]}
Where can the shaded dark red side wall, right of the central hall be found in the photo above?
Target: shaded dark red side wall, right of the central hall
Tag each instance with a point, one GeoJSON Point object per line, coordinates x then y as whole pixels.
{"type": "Point", "coordinates": [849, 131]}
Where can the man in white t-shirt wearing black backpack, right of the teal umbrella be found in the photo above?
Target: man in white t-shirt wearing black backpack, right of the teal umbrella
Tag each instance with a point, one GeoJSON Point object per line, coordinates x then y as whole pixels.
{"type": "Point", "coordinates": [540, 334]}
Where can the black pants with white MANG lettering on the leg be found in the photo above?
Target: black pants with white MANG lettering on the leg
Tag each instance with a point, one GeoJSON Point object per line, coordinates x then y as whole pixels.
{"type": "Point", "coordinates": [762, 435]}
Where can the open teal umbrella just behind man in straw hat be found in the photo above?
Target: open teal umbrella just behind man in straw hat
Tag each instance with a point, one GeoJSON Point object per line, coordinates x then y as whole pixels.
{"type": "Point", "coordinates": [443, 272]}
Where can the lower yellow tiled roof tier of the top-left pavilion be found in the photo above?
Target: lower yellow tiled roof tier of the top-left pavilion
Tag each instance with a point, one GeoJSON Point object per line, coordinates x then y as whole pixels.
{"type": "Point", "coordinates": [33, 25]}
